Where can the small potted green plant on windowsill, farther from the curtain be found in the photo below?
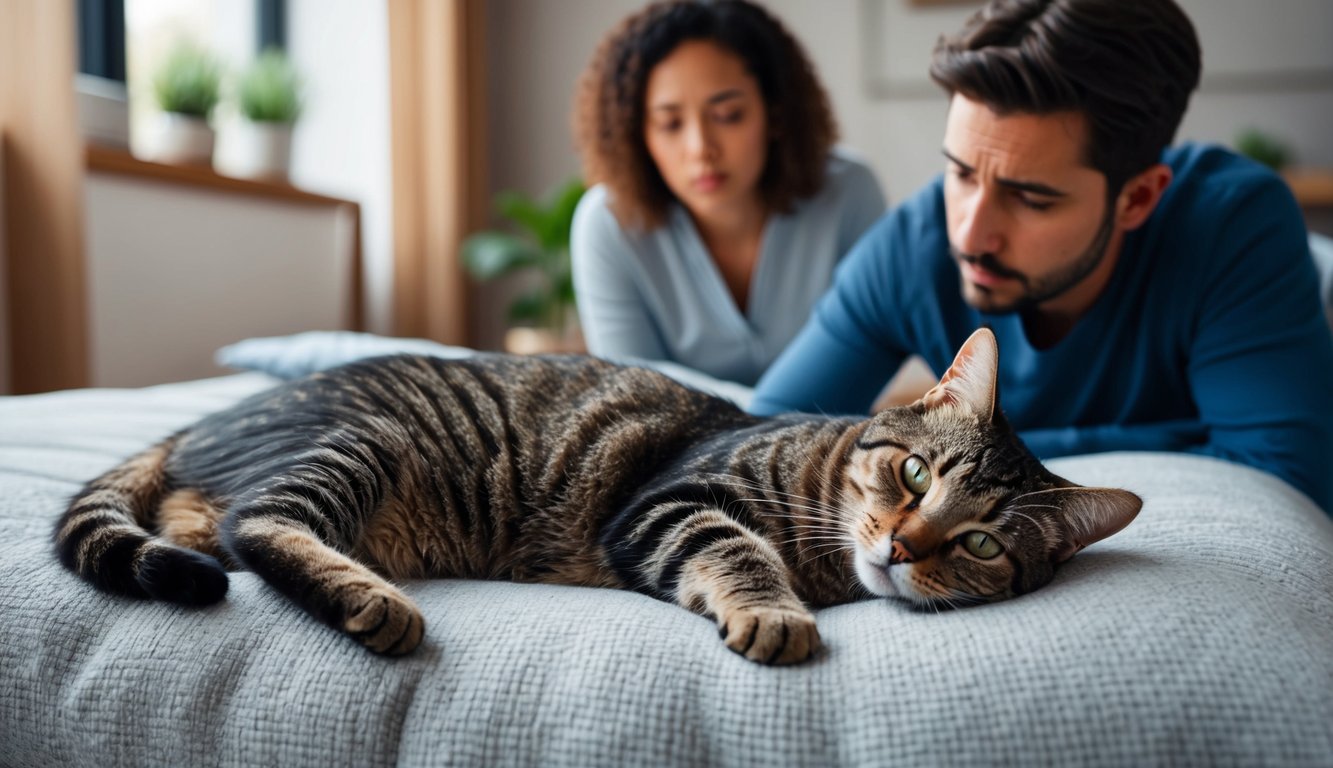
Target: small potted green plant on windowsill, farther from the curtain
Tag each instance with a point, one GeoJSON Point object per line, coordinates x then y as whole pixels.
{"type": "Point", "coordinates": [187, 87]}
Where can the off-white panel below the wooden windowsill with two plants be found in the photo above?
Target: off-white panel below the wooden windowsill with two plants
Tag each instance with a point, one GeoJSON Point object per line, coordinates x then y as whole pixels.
{"type": "Point", "coordinates": [175, 273]}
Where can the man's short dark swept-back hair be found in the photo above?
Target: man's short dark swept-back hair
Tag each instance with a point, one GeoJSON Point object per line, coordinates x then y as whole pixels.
{"type": "Point", "coordinates": [1128, 66]}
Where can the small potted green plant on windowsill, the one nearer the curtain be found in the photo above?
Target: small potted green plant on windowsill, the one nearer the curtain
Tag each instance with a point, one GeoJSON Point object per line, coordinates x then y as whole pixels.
{"type": "Point", "coordinates": [269, 95]}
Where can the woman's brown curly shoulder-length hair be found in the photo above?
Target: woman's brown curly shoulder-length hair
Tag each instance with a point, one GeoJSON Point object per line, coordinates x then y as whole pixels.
{"type": "Point", "coordinates": [610, 110]}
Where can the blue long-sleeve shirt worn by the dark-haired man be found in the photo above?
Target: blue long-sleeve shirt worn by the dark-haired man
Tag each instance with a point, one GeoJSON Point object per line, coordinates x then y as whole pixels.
{"type": "Point", "coordinates": [1210, 337]}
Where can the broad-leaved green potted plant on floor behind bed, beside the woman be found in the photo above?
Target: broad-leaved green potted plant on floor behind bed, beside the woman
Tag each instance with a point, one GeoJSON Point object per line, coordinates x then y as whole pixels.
{"type": "Point", "coordinates": [543, 315]}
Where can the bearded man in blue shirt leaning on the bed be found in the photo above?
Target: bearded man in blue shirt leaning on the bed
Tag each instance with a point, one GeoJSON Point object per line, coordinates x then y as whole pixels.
{"type": "Point", "coordinates": [1144, 298]}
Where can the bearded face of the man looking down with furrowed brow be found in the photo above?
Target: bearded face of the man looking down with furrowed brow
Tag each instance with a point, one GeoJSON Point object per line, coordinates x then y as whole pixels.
{"type": "Point", "coordinates": [1030, 222]}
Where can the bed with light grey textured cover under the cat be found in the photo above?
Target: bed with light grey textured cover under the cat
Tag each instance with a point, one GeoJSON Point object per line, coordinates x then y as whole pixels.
{"type": "Point", "coordinates": [1202, 635]}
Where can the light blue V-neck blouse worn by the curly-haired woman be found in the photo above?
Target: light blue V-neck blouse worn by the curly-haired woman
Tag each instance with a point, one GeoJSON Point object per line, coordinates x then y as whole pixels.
{"type": "Point", "coordinates": [658, 295]}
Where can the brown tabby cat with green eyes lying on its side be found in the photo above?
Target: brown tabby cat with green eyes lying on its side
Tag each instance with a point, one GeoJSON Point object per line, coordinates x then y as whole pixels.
{"type": "Point", "coordinates": [575, 471]}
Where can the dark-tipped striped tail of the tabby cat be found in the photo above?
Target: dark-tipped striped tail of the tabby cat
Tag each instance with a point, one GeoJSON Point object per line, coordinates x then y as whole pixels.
{"type": "Point", "coordinates": [103, 538]}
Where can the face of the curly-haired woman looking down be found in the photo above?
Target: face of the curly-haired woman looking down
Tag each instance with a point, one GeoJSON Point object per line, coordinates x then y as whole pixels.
{"type": "Point", "coordinates": [707, 129]}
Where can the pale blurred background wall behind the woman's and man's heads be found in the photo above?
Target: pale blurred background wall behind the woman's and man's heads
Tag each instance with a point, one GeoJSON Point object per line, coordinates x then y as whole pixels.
{"type": "Point", "coordinates": [539, 47]}
